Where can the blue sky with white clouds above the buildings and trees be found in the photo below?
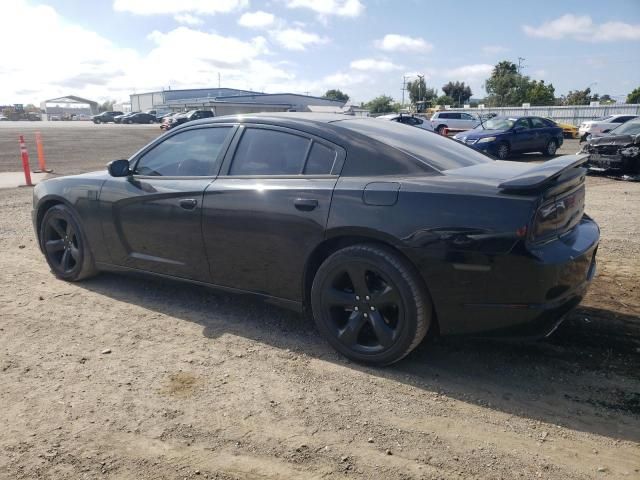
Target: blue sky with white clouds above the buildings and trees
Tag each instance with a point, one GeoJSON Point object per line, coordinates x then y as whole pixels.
{"type": "Point", "coordinates": [108, 49]}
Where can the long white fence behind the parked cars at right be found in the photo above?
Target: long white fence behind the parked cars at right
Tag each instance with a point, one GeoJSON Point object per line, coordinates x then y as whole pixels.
{"type": "Point", "coordinates": [575, 114]}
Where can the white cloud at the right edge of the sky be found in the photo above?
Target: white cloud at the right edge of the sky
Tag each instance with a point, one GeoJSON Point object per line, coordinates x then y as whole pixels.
{"type": "Point", "coordinates": [582, 28]}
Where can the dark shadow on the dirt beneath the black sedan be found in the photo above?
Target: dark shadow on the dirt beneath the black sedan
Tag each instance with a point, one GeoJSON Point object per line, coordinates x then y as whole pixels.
{"type": "Point", "coordinates": [585, 377]}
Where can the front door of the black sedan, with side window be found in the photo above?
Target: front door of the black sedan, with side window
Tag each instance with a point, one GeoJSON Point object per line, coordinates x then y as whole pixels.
{"type": "Point", "coordinates": [152, 218]}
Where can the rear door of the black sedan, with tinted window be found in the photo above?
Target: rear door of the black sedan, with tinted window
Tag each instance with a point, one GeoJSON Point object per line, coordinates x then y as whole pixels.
{"type": "Point", "coordinates": [268, 209]}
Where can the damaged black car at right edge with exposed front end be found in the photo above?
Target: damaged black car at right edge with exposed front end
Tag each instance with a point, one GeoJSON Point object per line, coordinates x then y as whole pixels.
{"type": "Point", "coordinates": [617, 153]}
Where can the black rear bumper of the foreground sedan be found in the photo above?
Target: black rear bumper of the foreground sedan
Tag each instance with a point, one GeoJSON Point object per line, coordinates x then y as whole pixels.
{"type": "Point", "coordinates": [523, 293]}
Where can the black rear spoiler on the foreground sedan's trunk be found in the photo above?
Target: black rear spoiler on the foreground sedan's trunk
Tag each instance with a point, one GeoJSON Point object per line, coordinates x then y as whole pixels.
{"type": "Point", "coordinates": [542, 175]}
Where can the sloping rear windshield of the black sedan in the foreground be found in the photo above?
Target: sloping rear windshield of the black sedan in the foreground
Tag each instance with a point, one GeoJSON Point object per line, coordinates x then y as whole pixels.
{"type": "Point", "coordinates": [436, 151]}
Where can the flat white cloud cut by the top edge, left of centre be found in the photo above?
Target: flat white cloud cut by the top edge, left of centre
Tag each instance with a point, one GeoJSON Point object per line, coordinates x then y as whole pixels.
{"type": "Point", "coordinates": [159, 7]}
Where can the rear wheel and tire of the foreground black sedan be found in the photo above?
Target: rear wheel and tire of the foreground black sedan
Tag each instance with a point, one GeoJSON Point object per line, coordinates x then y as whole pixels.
{"type": "Point", "coordinates": [370, 304]}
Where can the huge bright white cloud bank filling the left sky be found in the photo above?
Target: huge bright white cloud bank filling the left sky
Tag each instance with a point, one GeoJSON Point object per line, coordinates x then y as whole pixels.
{"type": "Point", "coordinates": [92, 66]}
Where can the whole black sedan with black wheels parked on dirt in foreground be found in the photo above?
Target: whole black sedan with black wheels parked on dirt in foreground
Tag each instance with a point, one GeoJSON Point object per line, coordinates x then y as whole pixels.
{"type": "Point", "coordinates": [379, 230]}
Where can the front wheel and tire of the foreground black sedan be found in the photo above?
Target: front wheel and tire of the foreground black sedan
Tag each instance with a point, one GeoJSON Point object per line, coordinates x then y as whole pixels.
{"type": "Point", "coordinates": [65, 246]}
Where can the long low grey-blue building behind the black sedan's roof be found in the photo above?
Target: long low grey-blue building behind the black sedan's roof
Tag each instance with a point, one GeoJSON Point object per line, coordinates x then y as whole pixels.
{"type": "Point", "coordinates": [227, 101]}
